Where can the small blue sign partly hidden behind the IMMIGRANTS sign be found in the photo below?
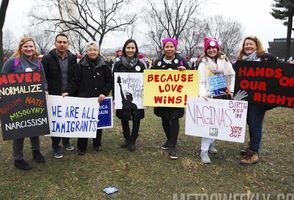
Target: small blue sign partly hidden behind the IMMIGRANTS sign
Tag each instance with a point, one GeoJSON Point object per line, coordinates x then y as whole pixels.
{"type": "Point", "coordinates": [105, 114]}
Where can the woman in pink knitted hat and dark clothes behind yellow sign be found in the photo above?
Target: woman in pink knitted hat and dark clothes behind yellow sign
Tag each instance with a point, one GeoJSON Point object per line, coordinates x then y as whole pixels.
{"type": "Point", "coordinates": [170, 60]}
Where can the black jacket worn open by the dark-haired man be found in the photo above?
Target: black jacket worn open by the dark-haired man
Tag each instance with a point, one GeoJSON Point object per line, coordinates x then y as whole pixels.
{"type": "Point", "coordinates": [53, 71]}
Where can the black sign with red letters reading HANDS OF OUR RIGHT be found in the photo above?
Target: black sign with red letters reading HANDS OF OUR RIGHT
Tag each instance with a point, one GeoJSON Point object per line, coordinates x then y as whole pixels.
{"type": "Point", "coordinates": [268, 83]}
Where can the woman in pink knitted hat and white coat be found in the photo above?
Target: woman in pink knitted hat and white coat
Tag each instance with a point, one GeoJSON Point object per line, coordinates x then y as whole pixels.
{"type": "Point", "coordinates": [214, 64]}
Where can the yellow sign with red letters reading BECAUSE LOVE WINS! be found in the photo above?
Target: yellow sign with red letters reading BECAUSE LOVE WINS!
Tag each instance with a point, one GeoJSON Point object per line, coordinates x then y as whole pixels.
{"type": "Point", "coordinates": [169, 88]}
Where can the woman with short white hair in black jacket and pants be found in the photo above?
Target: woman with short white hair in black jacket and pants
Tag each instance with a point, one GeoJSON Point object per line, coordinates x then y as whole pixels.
{"type": "Point", "coordinates": [91, 78]}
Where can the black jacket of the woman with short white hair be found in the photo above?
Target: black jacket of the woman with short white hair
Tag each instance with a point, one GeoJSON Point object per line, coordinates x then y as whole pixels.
{"type": "Point", "coordinates": [90, 79]}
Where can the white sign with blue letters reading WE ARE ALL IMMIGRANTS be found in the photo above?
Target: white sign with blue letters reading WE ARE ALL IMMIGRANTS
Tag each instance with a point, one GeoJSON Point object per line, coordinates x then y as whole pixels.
{"type": "Point", "coordinates": [73, 116]}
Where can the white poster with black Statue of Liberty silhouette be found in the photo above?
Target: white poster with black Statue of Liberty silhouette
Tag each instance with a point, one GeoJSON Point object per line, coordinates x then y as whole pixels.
{"type": "Point", "coordinates": [128, 90]}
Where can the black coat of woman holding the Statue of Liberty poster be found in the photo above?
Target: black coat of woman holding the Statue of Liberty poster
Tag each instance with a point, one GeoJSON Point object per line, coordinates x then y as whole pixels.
{"type": "Point", "coordinates": [128, 114]}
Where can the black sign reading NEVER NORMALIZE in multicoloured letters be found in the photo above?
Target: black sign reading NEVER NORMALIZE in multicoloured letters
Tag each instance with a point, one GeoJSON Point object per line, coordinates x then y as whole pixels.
{"type": "Point", "coordinates": [23, 105]}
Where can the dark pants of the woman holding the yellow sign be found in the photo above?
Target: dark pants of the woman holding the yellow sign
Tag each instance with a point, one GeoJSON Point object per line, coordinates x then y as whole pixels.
{"type": "Point", "coordinates": [171, 130]}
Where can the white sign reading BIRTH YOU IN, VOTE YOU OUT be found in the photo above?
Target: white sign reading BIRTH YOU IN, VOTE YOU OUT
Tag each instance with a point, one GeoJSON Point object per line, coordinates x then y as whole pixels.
{"type": "Point", "coordinates": [217, 119]}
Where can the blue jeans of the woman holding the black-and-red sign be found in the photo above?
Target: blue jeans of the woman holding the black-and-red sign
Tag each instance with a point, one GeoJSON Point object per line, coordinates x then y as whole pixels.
{"type": "Point", "coordinates": [255, 115]}
